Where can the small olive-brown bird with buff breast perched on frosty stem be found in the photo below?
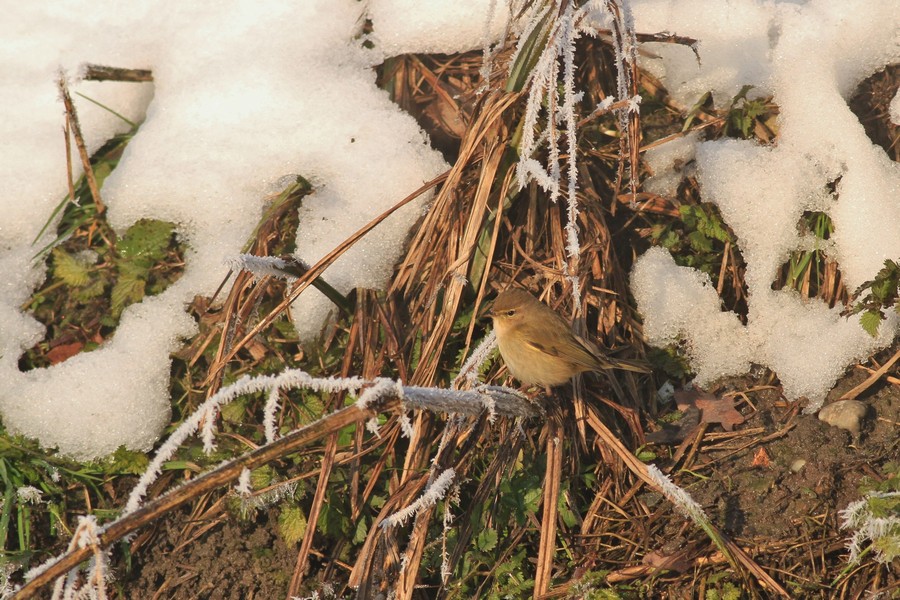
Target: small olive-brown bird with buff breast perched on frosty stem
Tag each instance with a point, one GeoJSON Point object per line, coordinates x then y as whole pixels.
{"type": "Point", "coordinates": [538, 345]}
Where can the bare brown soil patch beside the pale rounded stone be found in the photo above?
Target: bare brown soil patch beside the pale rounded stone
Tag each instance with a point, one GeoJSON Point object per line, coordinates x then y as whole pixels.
{"type": "Point", "coordinates": [815, 468]}
